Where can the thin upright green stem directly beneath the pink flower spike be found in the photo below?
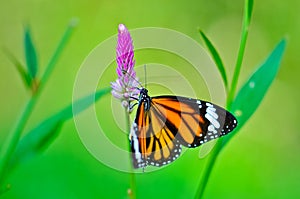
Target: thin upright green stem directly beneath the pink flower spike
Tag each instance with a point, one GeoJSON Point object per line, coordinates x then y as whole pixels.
{"type": "Point", "coordinates": [132, 190]}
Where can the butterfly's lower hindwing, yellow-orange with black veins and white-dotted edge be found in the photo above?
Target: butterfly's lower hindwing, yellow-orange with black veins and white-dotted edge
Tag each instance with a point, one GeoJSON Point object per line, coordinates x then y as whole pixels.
{"type": "Point", "coordinates": [152, 141]}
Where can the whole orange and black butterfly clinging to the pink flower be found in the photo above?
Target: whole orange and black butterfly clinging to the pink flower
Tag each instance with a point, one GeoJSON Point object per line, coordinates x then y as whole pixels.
{"type": "Point", "coordinates": [164, 123]}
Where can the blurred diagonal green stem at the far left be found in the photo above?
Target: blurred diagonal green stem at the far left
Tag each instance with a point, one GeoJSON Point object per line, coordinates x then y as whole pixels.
{"type": "Point", "coordinates": [11, 142]}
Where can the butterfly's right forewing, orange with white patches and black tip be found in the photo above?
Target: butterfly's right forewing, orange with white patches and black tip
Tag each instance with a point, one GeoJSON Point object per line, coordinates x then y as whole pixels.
{"type": "Point", "coordinates": [200, 121]}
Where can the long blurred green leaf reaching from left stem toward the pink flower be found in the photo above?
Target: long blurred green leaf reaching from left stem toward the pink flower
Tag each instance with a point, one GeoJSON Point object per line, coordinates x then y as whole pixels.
{"type": "Point", "coordinates": [39, 138]}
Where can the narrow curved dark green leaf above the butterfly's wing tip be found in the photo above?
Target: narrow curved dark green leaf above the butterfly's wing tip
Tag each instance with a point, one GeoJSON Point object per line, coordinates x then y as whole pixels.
{"type": "Point", "coordinates": [216, 57]}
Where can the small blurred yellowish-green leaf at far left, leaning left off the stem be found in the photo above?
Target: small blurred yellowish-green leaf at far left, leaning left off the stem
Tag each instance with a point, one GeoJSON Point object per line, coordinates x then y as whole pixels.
{"type": "Point", "coordinates": [20, 68]}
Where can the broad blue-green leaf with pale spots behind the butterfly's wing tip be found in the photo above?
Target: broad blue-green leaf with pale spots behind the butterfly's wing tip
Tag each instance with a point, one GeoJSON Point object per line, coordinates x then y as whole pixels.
{"type": "Point", "coordinates": [253, 91]}
